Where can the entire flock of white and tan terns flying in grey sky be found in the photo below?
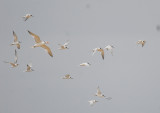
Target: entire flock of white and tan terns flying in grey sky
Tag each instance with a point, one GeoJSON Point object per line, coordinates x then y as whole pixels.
{"type": "Point", "coordinates": [40, 43]}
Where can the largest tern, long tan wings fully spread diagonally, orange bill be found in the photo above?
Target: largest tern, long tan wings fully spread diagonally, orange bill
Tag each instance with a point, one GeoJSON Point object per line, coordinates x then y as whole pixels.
{"type": "Point", "coordinates": [40, 43]}
